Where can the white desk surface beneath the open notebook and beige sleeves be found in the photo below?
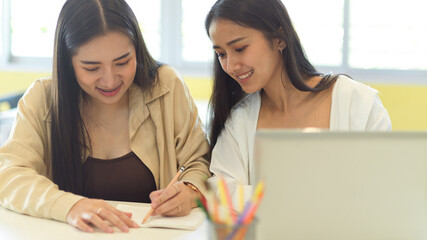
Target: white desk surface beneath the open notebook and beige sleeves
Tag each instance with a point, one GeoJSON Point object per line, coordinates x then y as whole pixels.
{"type": "Point", "coordinates": [15, 226]}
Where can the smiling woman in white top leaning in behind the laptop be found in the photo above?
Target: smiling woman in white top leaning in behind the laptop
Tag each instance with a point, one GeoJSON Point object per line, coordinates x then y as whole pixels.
{"type": "Point", "coordinates": [262, 79]}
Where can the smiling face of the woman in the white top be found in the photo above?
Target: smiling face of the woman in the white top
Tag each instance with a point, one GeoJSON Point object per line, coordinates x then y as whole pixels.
{"type": "Point", "coordinates": [246, 54]}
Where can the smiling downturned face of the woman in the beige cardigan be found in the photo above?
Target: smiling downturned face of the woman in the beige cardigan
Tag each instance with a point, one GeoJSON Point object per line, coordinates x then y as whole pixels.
{"type": "Point", "coordinates": [105, 67]}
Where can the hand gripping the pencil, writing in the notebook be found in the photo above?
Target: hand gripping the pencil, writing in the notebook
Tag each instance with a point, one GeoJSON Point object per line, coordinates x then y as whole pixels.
{"type": "Point", "coordinates": [176, 200]}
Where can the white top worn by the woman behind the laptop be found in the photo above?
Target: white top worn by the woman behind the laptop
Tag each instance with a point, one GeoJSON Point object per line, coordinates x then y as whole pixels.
{"type": "Point", "coordinates": [355, 107]}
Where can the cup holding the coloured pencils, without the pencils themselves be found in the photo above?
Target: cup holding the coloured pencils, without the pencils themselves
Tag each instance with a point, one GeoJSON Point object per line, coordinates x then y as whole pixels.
{"type": "Point", "coordinates": [222, 231]}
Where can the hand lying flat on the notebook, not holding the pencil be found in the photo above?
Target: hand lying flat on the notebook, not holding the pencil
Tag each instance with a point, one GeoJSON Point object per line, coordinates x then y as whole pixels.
{"type": "Point", "coordinates": [87, 213]}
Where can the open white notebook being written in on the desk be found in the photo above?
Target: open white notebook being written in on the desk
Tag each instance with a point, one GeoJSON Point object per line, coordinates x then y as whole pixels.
{"type": "Point", "coordinates": [190, 222]}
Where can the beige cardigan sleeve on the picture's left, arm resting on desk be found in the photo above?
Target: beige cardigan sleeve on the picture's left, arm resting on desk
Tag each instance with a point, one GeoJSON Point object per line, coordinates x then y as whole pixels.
{"type": "Point", "coordinates": [24, 183]}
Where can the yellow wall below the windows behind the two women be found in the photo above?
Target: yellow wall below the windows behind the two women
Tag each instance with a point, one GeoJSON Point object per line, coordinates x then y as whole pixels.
{"type": "Point", "coordinates": [407, 104]}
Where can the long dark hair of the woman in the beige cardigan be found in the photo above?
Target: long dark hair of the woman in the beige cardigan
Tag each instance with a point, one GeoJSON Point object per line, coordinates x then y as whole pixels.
{"type": "Point", "coordinates": [80, 21]}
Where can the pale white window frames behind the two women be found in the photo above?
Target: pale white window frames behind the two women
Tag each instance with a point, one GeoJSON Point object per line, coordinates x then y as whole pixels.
{"type": "Point", "coordinates": [170, 53]}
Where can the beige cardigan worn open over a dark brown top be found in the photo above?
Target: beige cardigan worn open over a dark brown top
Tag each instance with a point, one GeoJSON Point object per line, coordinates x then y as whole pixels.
{"type": "Point", "coordinates": [164, 129]}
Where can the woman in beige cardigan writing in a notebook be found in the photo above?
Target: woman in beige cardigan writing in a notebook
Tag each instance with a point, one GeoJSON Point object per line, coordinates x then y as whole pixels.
{"type": "Point", "coordinates": [110, 124]}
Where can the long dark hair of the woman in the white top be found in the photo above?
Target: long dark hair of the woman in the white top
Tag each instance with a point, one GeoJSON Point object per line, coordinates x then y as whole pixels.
{"type": "Point", "coordinates": [272, 19]}
